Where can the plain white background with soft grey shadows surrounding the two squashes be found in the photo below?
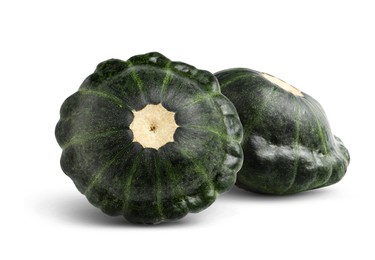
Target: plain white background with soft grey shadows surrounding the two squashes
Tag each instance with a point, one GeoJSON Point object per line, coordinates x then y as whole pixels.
{"type": "Point", "coordinates": [325, 48]}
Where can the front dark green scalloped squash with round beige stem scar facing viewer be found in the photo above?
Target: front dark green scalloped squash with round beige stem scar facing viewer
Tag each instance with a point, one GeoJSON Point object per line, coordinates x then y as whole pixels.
{"type": "Point", "coordinates": [150, 139]}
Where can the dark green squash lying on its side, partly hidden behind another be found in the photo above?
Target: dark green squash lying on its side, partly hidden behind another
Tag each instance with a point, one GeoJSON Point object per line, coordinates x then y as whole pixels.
{"type": "Point", "coordinates": [288, 145]}
